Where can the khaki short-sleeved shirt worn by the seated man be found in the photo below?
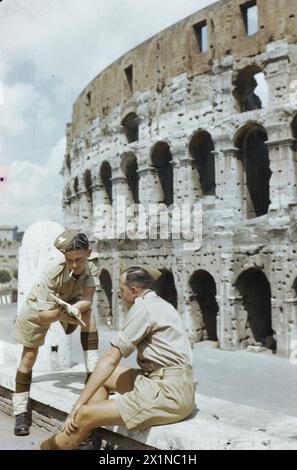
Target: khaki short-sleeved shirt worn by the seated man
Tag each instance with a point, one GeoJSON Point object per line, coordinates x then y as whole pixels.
{"type": "Point", "coordinates": [154, 328]}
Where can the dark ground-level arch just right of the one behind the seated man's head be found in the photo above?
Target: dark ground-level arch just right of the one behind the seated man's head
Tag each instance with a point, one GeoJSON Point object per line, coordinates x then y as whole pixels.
{"type": "Point", "coordinates": [204, 291]}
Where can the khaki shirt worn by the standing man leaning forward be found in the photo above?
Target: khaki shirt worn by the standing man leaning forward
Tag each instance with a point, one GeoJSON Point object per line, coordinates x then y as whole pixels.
{"type": "Point", "coordinates": [55, 279]}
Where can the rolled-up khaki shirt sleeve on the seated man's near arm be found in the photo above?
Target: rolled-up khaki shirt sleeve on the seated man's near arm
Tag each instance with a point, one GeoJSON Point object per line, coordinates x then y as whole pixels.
{"type": "Point", "coordinates": [137, 327]}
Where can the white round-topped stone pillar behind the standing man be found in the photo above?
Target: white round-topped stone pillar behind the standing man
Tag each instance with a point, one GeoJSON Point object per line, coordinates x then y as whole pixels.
{"type": "Point", "coordinates": [36, 251]}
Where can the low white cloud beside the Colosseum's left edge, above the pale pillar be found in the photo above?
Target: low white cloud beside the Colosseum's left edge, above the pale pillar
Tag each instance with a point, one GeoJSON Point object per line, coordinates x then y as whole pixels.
{"type": "Point", "coordinates": [34, 192]}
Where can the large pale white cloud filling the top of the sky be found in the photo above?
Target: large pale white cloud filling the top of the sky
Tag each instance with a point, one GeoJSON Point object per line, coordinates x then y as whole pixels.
{"type": "Point", "coordinates": [70, 41]}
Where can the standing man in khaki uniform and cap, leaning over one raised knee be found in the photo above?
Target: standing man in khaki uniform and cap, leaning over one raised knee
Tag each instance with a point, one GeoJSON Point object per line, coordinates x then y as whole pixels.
{"type": "Point", "coordinates": [72, 280]}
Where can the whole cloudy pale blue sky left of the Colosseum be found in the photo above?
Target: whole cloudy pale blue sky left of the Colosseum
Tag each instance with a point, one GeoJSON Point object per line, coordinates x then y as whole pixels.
{"type": "Point", "coordinates": [49, 51]}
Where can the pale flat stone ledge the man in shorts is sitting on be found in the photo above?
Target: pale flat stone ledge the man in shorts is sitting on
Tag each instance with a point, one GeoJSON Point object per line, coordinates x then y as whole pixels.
{"type": "Point", "coordinates": [217, 424]}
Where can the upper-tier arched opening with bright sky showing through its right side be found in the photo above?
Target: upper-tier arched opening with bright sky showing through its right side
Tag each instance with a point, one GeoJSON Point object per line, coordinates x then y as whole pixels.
{"type": "Point", "coordinates": [251, 89]}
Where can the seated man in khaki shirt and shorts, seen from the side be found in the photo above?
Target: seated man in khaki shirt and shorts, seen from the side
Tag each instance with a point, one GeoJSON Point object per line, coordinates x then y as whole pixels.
{"type": "Point", "coordinates": [162, 391]}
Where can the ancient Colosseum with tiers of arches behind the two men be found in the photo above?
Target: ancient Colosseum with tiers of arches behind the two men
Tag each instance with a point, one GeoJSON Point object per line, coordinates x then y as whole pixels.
{"type": "Point", "coordinates": [205, 113]}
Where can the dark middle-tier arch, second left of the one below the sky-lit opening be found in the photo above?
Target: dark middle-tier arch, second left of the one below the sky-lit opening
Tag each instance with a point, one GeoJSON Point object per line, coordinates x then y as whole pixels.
{"type": "Point", "coordinates": [162, 161]}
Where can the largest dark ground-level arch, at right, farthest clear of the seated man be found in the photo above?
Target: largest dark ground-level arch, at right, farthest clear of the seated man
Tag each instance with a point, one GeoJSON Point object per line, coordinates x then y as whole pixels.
{"type": "Point", "coordinates": [255, 291]}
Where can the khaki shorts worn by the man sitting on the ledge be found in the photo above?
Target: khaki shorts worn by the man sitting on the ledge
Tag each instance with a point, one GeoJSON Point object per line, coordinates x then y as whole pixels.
{"type": "Point", "coordinates": [155, 400]}
